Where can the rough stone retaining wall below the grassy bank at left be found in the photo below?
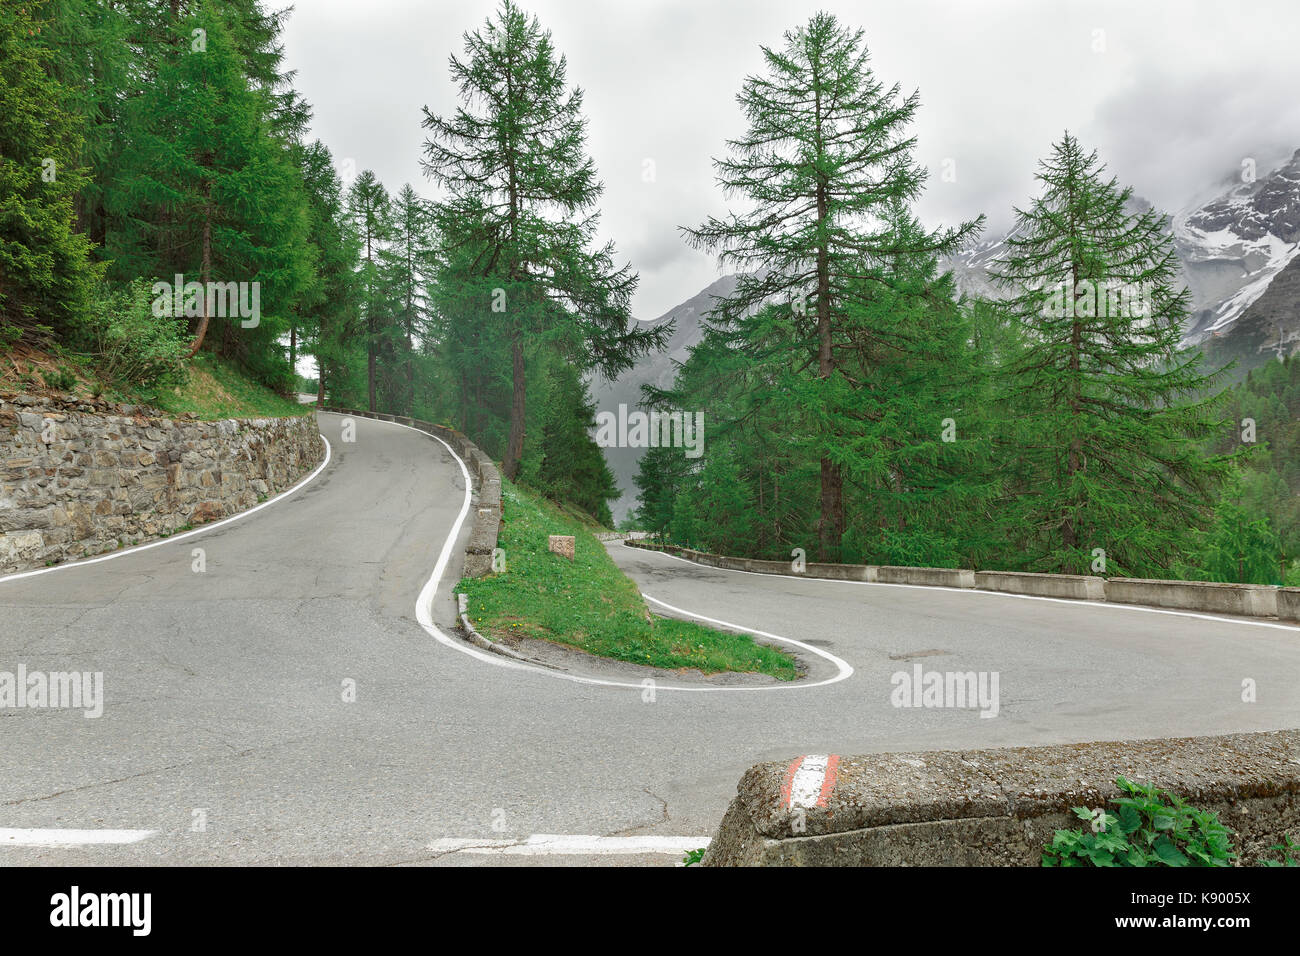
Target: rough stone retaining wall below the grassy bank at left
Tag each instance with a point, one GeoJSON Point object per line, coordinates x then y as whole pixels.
{"type": "Point", "coordinates": [81, 477]}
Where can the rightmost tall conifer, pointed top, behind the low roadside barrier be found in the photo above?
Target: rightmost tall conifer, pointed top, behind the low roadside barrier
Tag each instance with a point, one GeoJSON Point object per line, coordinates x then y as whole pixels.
{"type": "Point", "coordinates": [1111, 412]}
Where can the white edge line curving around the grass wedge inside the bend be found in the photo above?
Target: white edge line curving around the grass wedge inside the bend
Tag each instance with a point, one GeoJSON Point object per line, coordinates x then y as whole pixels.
{"type": "Point", "coordinates": [424, 615]}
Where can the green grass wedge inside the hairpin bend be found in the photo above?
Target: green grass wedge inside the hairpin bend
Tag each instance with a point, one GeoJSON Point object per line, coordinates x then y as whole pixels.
{"type": "Point", "coordinates": [591, 604]}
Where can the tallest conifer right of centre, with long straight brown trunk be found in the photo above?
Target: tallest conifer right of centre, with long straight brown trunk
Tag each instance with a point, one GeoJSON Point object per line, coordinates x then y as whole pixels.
{"type": "Point", "coordinates": [825, 157]}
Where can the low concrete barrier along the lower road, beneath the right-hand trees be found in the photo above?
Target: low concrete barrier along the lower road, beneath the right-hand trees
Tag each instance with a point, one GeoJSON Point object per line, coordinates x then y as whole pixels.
{"type": "Point", "coordinates": [1249, 600]}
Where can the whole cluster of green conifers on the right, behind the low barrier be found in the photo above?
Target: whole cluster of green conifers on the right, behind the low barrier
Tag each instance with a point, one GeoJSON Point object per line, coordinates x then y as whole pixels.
{"type": "Point", "coordinates": [861, 410]}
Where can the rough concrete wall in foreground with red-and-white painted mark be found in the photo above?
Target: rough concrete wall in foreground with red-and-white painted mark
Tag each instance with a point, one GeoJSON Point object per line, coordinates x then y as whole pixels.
{"type": "Point", "coordinates": [998, 807]}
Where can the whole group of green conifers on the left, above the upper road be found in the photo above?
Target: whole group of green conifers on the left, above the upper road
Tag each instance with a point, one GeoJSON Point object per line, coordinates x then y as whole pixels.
{"type": "Point", "coordinates": [161, 197]}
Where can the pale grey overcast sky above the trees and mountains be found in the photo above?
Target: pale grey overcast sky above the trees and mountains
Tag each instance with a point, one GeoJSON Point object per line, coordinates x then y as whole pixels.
{"type": "Point", "coordinates": [1175, 94]}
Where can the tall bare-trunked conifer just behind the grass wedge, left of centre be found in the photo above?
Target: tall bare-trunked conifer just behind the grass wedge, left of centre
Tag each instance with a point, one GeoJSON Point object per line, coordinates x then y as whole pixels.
{"type": "Point", "coordinates": [521, 202]}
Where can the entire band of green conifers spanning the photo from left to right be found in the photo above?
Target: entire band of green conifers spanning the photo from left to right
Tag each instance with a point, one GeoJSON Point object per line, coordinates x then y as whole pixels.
{"type": "Point", "coordinates": [162, 198]}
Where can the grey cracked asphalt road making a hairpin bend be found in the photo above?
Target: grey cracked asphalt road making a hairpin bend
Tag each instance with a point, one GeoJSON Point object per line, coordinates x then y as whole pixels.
{"type": "Point", "coordinates": [285, 706]}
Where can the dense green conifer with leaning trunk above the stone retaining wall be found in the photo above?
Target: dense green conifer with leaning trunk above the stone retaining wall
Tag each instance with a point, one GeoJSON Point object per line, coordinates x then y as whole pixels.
{"type": "Point", "coordinates": [207, 189]}
